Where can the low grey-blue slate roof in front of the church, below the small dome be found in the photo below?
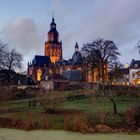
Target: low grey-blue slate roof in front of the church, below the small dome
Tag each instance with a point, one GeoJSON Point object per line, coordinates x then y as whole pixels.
{"type": "Point", "coordinates": [72, 75]}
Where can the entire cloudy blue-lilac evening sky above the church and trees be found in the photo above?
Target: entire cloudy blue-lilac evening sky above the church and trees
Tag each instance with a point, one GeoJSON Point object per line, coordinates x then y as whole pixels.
{"type": "Point", "coordinates": [24, 25]}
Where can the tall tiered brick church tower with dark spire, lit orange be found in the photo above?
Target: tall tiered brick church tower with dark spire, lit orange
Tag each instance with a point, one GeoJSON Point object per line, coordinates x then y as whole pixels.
{"type": "Point", "coordinates": [53, 47]}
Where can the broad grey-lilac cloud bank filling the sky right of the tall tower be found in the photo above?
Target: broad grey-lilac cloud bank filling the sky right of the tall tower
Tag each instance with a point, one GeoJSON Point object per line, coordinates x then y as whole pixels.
{"type": "Point", "coordinates": [117, 20]}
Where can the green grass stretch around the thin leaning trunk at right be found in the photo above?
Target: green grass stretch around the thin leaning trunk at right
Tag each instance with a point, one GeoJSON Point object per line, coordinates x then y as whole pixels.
{"type": "Point", "coordinates": [91, 104]}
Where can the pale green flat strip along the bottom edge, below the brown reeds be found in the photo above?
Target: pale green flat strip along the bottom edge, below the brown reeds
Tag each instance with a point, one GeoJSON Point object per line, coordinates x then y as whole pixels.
{"type": "Point", "coordinates": [11, 134]}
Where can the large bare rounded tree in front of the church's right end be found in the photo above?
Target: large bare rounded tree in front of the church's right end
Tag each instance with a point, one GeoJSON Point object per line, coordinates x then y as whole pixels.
{"type": "Point", "coordinates": [100, 53]}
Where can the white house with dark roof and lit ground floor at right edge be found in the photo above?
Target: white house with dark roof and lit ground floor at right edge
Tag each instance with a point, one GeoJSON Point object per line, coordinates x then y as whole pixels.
{"type": "Point", "coordinates": [134, 73]}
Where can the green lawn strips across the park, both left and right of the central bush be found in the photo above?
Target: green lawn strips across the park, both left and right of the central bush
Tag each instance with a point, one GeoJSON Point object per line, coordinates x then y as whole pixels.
{"type": "Point", "coordinates": [89, 104]}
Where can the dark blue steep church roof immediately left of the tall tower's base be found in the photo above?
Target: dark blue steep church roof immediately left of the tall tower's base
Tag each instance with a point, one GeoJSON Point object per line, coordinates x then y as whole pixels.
{"type": "Point", "coordinates": [41, 60]}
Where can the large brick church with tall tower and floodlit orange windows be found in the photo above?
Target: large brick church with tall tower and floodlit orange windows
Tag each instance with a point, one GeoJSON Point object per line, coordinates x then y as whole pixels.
{"type": "Point", "coordinates": [52, 62]}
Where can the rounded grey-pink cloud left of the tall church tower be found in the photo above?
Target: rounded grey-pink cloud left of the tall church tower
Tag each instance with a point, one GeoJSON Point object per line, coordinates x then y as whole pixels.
{"type": "Point", "coordinates": [23, 34]}
